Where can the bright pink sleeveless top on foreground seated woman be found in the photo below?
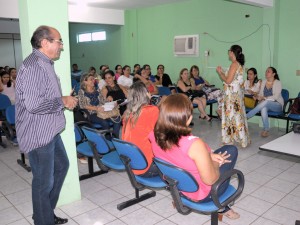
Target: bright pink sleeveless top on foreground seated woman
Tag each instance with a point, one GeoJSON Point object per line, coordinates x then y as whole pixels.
{"type": "Point", "coordinates": [179, 157]}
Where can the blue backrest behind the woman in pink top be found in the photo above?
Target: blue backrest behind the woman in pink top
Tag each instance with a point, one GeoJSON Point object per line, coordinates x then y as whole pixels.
{"type": "Point", "coordinates": [185, 181]}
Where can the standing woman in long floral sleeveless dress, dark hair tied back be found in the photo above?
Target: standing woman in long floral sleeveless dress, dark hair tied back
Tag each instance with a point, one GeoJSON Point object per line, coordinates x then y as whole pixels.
{"type": "Point", "coordinates": [234, 122]}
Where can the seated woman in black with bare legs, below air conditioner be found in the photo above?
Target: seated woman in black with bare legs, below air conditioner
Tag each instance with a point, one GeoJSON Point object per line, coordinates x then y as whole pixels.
{"type": "Point", "coordinates": [187, 87]}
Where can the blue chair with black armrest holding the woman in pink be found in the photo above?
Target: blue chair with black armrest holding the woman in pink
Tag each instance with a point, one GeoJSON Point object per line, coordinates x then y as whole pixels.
{"type": "Point", "coordinates": [180, 180]}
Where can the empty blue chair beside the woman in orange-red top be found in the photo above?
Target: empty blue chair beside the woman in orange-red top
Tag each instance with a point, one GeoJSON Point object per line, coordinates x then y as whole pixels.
{"type": "Point", "coordinates": [101, 149]}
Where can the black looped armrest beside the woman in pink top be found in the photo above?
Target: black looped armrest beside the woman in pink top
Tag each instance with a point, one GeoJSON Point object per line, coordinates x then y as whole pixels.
{"type": "Point", "coordinates": [227, 175]}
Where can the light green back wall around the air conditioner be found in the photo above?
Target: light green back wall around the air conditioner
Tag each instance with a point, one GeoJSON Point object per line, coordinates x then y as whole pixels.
{"type": "Point", "coordinates": [150, 32]}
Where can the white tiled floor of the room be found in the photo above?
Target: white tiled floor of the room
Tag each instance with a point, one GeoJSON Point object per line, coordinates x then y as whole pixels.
{"type": "Point", "coordinates": [271, 195]}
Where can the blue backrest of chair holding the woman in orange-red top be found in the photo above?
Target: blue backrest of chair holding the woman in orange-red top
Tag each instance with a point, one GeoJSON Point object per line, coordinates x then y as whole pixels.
{"type": "Point", "coordinates": [137, 158]}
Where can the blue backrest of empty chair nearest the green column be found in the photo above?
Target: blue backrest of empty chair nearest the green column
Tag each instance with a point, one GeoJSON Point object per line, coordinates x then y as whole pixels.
{"type": "Point", "coordinates": [102, 145]}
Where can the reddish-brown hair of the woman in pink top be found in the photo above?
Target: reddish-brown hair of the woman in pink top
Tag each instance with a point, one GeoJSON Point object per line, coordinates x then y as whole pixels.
{"type": "Point", "coordinates": [174, 112]}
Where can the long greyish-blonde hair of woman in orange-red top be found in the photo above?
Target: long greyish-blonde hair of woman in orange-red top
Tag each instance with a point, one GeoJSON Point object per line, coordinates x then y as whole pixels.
{"type": "Point", "coordinates": [137, 98]}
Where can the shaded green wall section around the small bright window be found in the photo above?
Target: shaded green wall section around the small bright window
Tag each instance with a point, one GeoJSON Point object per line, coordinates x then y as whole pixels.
{"type": "Point", "coordinates": [95, 53]}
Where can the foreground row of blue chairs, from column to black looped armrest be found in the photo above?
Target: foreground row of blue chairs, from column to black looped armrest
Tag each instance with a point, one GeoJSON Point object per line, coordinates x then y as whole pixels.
{"type": "Point", "coordinates": [119, 155]}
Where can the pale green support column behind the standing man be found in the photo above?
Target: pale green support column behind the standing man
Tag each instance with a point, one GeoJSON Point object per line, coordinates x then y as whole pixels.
{"type": "Point", "coordinates": [54, 13]}
